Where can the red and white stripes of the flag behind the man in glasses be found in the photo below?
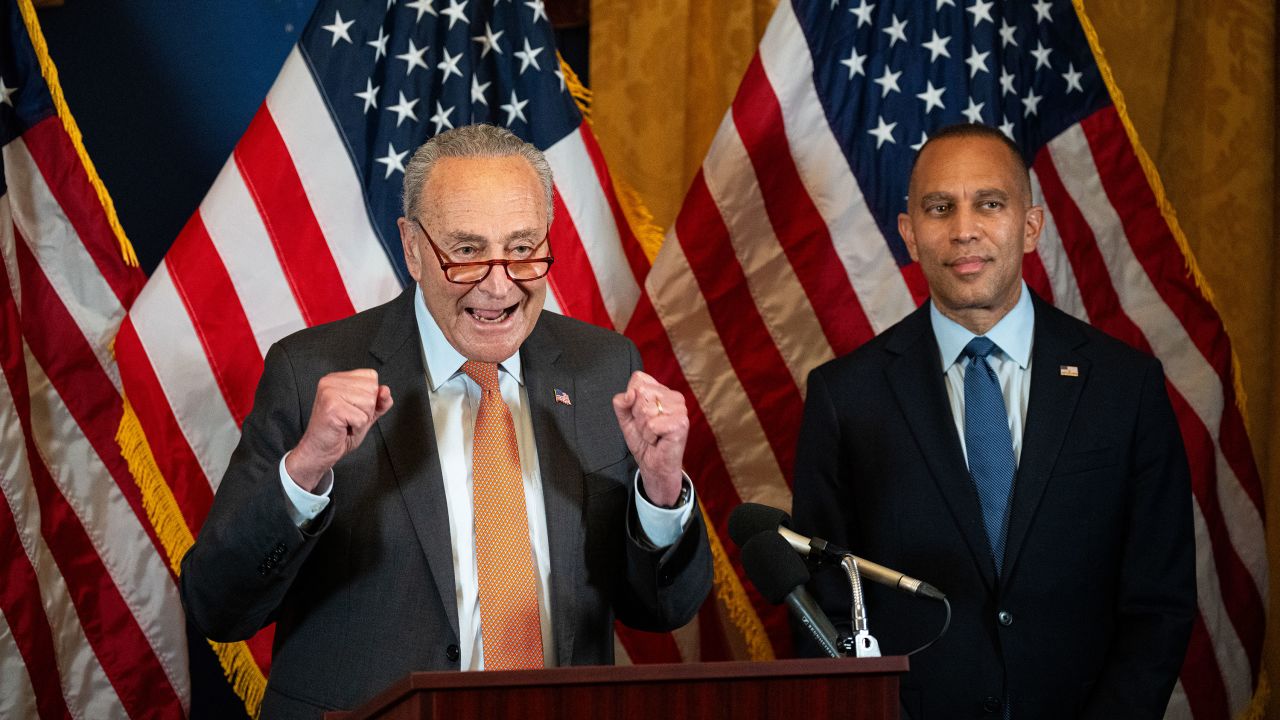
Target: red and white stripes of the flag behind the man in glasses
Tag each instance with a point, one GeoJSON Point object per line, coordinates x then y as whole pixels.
{"type": "Point", "coordinates": [282, 241]}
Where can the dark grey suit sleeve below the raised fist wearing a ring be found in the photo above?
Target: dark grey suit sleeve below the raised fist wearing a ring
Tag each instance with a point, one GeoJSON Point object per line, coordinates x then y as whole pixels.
{"type": "Point", "coordinates": [665, 587]}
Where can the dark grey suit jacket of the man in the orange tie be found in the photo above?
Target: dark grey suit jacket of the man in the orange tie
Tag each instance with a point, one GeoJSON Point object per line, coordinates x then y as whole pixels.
{"type": "Point", "coordinates": [367, 595]}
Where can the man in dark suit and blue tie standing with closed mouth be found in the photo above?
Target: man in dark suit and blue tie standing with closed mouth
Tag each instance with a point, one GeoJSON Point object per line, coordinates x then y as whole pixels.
{"type": "Point", "coordinates": [1023, 463]}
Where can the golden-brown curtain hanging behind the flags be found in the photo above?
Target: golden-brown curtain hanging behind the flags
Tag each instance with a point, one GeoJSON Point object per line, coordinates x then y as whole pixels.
{"type": "Point", "coordinates": [1200, 80]}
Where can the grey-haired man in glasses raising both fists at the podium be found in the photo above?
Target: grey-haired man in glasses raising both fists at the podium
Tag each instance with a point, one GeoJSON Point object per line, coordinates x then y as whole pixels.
{"type": "Point", "coordinates": [519, 489]}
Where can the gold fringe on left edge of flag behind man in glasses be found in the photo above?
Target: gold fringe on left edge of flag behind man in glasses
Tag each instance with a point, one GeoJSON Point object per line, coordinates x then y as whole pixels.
{"type": "Point", "coordinates": [243, 672]}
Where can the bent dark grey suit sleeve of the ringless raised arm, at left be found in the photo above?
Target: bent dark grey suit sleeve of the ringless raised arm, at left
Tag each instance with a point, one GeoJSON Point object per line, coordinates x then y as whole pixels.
{"type": "Point", "coordinates": [249, 550]}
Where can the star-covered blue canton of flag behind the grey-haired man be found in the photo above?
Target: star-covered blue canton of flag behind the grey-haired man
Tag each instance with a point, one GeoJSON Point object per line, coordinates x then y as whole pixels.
{"type": "Point", "coordinates": [399, 72]}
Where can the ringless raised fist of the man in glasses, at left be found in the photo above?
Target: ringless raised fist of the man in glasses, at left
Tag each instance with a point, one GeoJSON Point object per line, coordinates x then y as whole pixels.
{"type": "Point", "coordinates": [346, 407]}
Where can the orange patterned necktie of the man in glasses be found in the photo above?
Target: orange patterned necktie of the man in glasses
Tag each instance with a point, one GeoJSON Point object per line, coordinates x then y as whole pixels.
{"type": "Point", "coordinates": [505, 562]}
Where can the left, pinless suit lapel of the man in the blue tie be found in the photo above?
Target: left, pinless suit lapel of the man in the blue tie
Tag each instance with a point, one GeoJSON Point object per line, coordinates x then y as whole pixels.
{"type": "Point", "coordinates": [918, 384]}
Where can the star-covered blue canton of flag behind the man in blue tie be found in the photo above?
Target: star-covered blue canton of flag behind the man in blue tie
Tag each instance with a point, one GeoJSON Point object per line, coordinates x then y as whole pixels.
{"type": "Point", "coordinates": [890, 72]}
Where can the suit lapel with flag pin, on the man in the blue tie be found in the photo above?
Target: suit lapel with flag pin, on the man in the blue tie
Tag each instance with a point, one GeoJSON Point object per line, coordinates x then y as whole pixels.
{"type": "Point", "coordinates": [1049, 414]}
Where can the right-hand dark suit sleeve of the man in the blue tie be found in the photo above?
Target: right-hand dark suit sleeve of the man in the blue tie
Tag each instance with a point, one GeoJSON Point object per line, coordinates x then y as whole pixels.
{"type": "Point", "coordinates": [1156, 600]}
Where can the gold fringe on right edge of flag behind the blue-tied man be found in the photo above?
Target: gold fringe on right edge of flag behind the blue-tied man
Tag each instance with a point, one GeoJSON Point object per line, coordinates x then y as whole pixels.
{"type": "Point", "coordinates": [1258, 709]}
